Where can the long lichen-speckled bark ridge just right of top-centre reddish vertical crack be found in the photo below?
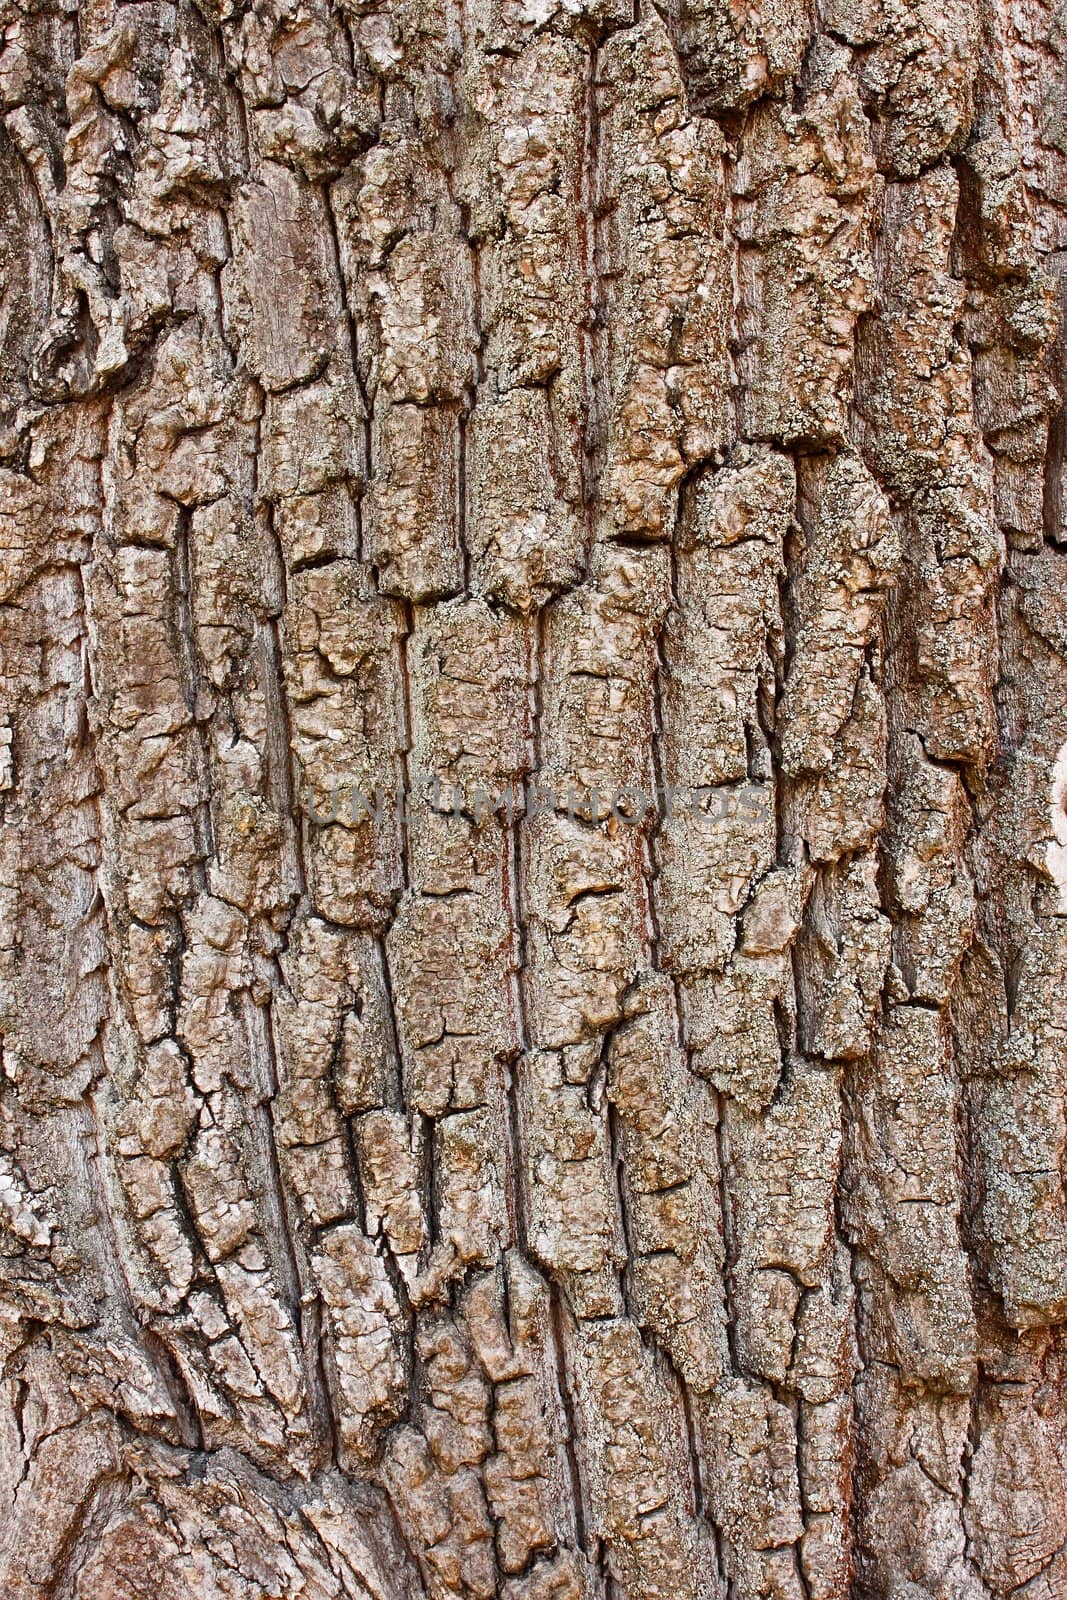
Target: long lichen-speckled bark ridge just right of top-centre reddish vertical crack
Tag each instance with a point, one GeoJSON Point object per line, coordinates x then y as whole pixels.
{"type": "Point", "coordinates": [666, 281]}
